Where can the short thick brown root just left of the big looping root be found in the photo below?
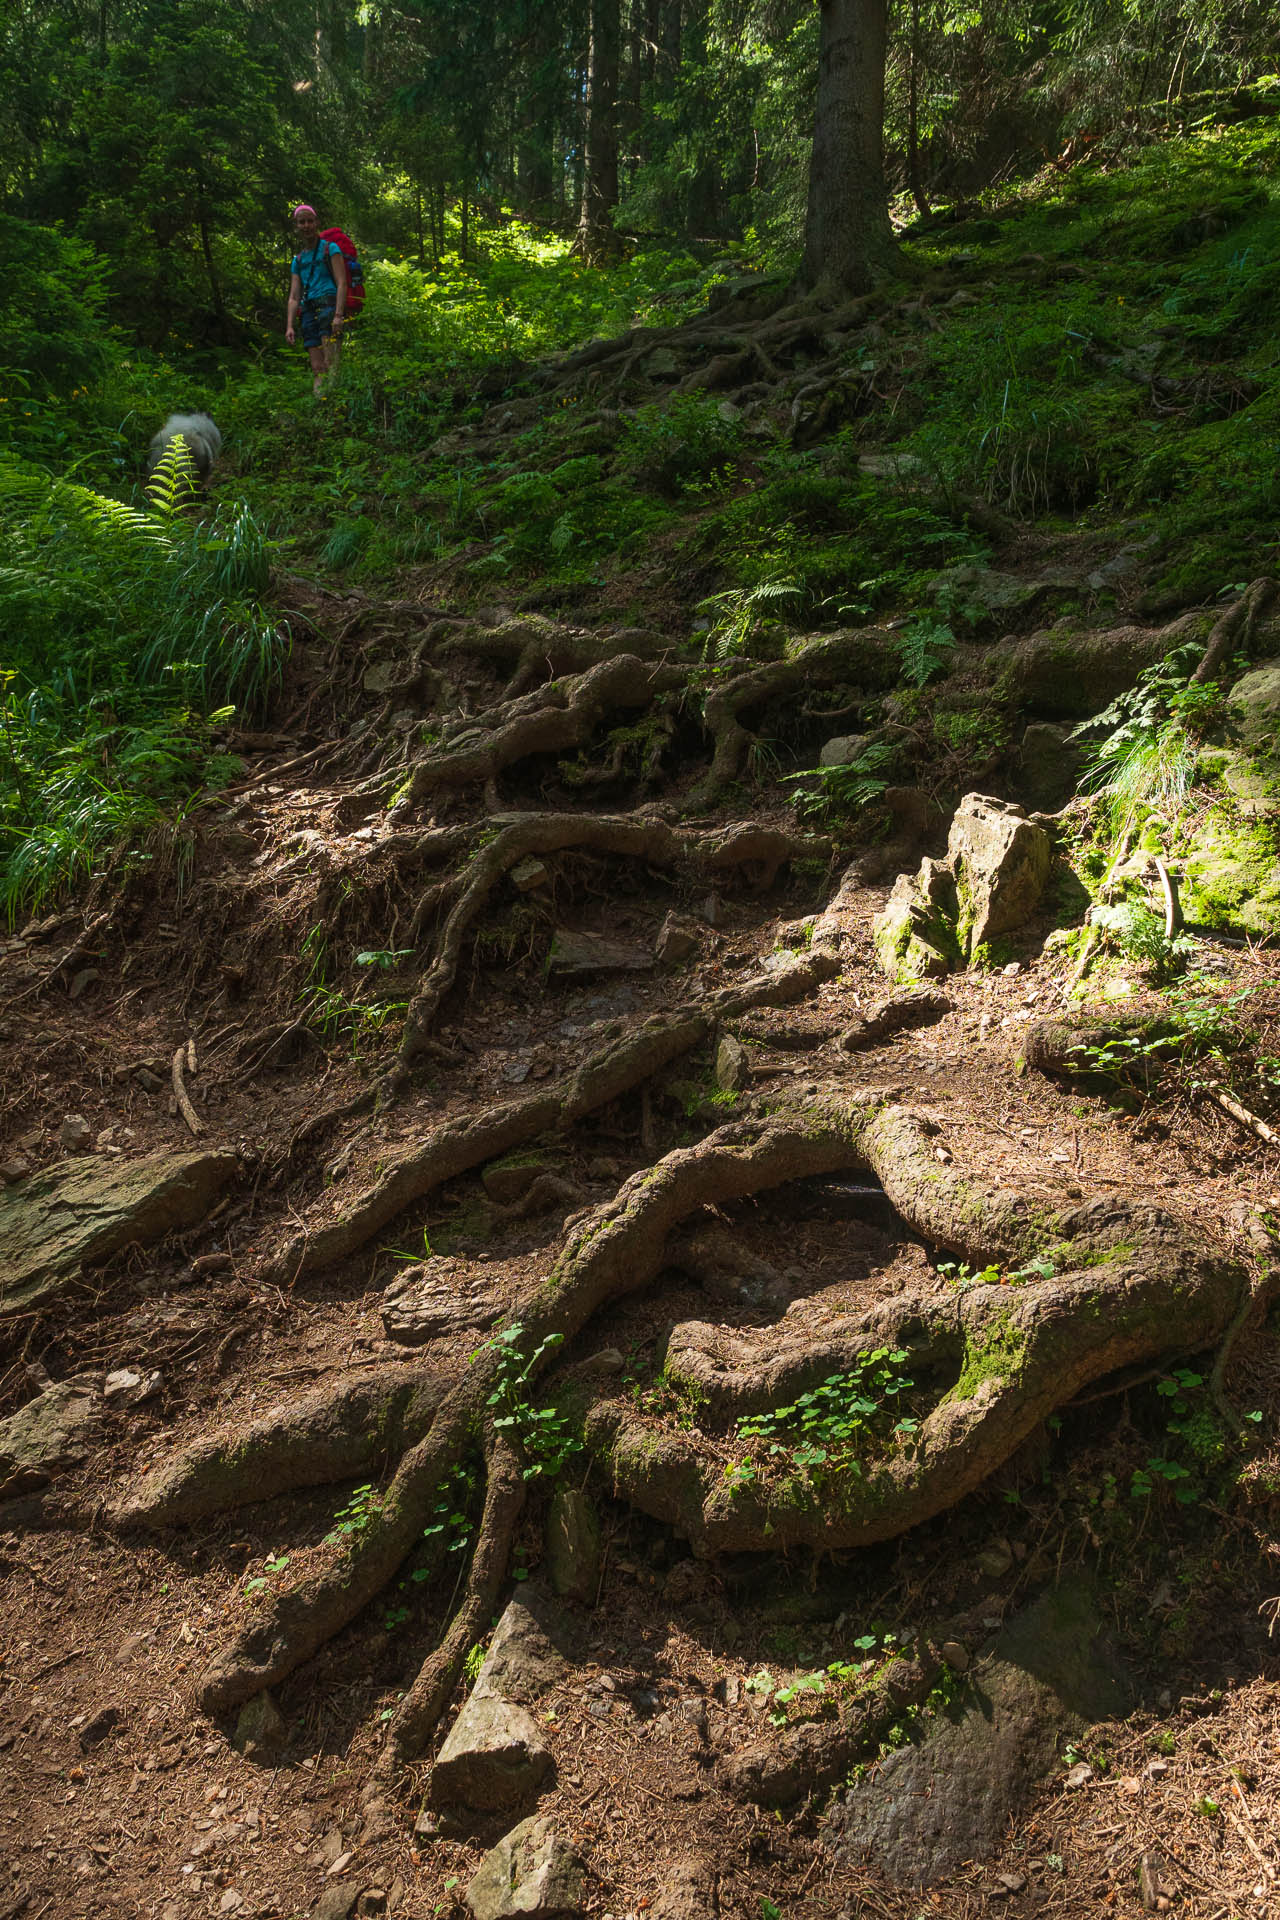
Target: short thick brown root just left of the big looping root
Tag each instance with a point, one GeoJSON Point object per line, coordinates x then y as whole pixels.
{"type": "Point", "coordinates": [335, 1433]}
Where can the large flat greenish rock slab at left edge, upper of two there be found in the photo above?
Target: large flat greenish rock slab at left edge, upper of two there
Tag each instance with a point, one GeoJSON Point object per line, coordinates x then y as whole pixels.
{"type": "Point", "coordinates": [66, 1218]}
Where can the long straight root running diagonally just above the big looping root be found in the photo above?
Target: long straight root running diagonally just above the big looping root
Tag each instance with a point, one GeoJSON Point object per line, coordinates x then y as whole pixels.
{"type": "Point", "coordinates": [607, 1074]}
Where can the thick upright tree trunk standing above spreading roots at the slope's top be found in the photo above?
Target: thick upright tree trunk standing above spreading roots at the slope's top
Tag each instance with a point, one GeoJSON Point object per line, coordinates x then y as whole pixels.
{"type": "Point", "coordinates": [847, 237]}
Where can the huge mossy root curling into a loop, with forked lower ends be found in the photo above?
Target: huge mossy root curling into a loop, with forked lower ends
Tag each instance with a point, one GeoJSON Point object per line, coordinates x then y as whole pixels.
{"type": "Point", "coordinates": [1127, 1285]}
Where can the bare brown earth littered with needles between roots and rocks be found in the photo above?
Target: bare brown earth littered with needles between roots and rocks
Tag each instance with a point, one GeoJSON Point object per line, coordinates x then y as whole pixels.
{"type": "Point", "coordinates": [120, 1798]}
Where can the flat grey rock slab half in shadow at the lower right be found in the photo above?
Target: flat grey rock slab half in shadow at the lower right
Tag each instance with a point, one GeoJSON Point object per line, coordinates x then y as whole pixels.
{"type": "Point", "coordinates": [949, 1800]}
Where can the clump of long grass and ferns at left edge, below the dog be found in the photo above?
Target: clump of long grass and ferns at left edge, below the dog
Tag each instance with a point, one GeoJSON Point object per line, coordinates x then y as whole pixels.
{"type": "Point", "coordinates": [130, 633]}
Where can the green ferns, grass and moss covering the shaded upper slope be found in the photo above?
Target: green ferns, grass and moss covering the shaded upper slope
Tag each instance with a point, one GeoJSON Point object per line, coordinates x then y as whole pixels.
{"type": "Point", "coordinates": [1093, 360]}
